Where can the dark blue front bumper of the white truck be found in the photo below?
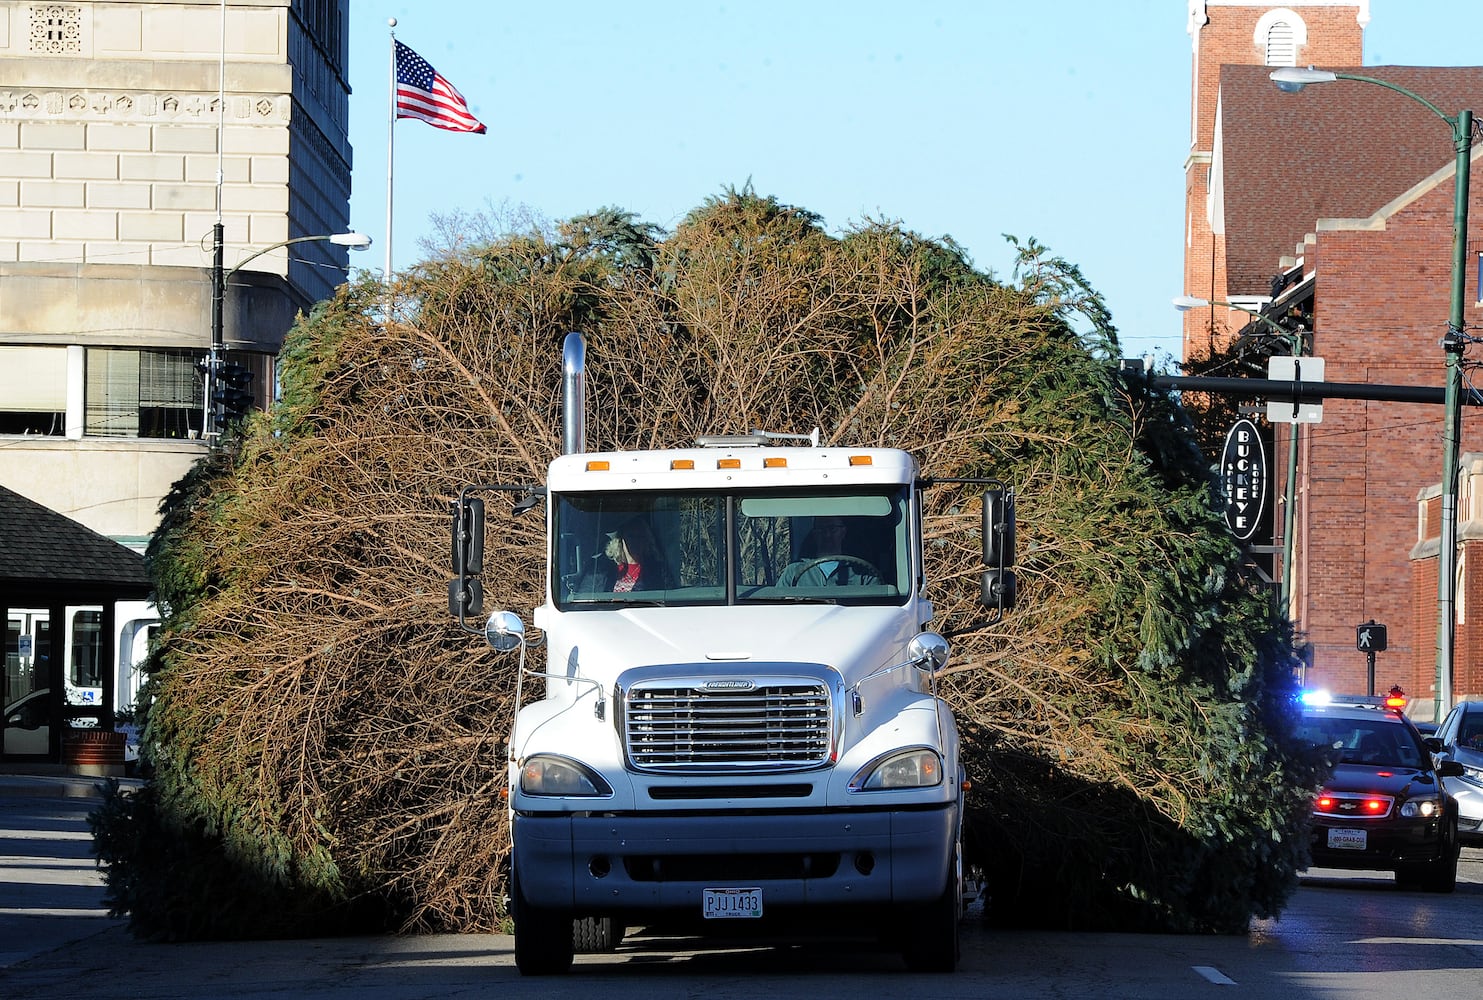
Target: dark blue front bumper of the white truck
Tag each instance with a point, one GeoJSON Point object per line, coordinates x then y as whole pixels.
{"type": "Point", "coordinates": [635, 863]}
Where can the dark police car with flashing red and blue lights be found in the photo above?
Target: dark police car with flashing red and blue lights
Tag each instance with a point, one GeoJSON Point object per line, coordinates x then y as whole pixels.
{"type": "Point", "coordinates": [1386, 805]}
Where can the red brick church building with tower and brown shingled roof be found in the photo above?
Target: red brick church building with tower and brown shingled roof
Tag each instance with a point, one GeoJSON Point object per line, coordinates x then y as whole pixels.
{"type": "Point", "coordinates": [1331, 211]}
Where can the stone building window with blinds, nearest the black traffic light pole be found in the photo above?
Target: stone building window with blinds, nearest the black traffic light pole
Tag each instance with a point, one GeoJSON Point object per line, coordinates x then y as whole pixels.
{"type": "Point", "coordinates": [143, 394]}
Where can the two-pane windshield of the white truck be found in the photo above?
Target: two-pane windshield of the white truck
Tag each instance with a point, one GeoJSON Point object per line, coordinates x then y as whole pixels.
{"type": "Point", "coordinates": [732, 548]}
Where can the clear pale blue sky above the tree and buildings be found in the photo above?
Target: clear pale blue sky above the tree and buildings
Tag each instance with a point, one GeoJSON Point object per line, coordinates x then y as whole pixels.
{"type": "Point", "coordinates": [1064, 121]}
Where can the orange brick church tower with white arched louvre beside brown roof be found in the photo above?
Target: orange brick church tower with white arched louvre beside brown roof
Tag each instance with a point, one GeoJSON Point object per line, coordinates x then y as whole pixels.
{"type": "Point", "coordinates": [1324, 33]}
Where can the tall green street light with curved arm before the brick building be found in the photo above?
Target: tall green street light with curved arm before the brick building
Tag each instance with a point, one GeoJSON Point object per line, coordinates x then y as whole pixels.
{"type": "Point", "coordinates": [1294, 79]}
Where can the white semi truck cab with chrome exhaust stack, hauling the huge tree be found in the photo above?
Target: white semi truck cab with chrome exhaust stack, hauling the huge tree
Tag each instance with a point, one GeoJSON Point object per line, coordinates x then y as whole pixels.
{"type": "Point", "coordinates": [739, 728]}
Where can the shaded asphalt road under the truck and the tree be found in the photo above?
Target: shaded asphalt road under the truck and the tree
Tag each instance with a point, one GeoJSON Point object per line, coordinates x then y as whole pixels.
{"type": "Point", "coordinates": [1344, 935]}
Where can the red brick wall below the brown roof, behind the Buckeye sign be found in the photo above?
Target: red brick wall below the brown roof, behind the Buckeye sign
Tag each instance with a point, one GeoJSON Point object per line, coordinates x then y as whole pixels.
{"type": "Point", "coordinates": [1381, 309]}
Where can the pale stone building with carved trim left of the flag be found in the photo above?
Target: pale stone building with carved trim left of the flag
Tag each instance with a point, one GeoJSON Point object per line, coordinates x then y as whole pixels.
{"type": "Point", "coordinates": [122, 143]}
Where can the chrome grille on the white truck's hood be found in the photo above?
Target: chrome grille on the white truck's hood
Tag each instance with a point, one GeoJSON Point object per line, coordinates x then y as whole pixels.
{"type": "Point", "coordinates": [775, 726]}
